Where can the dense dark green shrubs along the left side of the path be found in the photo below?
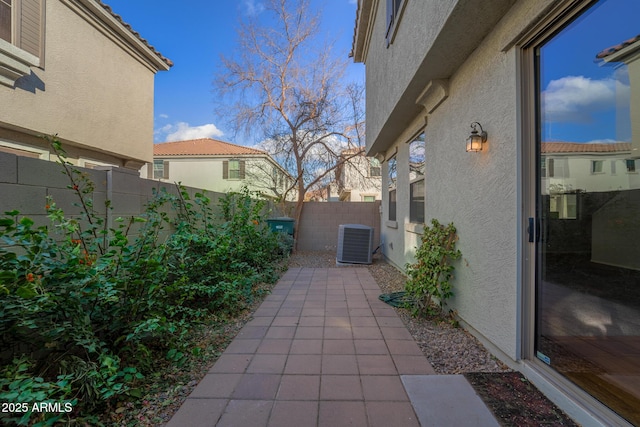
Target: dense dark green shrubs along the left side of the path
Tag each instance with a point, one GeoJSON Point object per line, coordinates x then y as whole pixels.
{"type": "Point", "coordinates": [86, 309]}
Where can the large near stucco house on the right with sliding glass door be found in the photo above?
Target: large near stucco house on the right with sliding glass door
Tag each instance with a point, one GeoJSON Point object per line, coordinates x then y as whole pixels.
{"type": "Point", "coordinates": [549, 278]}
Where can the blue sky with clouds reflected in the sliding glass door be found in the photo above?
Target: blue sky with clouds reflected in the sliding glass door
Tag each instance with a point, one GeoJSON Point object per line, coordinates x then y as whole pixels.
{"type": "Point", "coordinates": [586, 100]}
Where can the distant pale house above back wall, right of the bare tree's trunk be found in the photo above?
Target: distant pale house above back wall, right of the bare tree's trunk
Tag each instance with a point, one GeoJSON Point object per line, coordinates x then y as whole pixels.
{"type": "Point", "coordinates": [358, 179]}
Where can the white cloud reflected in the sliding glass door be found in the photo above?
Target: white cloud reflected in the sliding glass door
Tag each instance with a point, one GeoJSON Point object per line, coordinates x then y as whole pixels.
{"type": "Point", "coordinates": [576, 99]}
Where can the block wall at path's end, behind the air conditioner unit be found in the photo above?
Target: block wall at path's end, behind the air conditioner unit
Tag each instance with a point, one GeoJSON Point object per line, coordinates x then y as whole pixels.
{"type": "Point", "coordinates": [318, 228]}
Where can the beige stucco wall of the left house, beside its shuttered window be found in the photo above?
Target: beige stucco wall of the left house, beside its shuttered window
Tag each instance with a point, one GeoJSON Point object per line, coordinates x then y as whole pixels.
{"type": "Point", "coordinates": [91, 92]}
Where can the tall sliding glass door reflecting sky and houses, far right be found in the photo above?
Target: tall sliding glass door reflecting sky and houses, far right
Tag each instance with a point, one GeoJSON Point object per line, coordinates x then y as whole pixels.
{"type": "Point", "coordinates": [587, 230]}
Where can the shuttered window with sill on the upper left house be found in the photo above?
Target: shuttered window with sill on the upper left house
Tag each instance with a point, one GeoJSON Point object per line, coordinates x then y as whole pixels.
{"type": "Point", "coordinates": [20, 26]}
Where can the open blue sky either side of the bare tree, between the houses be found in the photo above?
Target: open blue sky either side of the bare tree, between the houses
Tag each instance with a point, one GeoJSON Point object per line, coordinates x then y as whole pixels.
{"type": "Point", "coordinates": [194, 34]}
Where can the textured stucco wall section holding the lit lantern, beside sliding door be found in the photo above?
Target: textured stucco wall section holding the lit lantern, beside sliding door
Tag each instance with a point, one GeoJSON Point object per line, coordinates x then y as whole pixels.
{"type": "Point", "coordinates": [478, 194]}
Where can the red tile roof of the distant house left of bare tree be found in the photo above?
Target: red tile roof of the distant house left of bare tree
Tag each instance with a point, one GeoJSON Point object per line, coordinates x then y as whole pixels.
{"type": "Point", "coordinates": [202, 147]}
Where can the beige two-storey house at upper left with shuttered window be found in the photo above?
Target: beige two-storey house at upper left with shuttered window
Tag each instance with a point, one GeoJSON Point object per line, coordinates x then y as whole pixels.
{"type": "Point", "coordinates": [75, 69]}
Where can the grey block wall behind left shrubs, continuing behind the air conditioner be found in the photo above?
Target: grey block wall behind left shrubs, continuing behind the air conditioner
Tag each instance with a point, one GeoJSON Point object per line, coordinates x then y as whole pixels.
{"type": "Point", "coordinates": [25, 184]}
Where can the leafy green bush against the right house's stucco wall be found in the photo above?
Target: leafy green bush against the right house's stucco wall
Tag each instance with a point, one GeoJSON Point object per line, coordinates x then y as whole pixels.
{"type": "Point", "coordinates": [428, 284]}
